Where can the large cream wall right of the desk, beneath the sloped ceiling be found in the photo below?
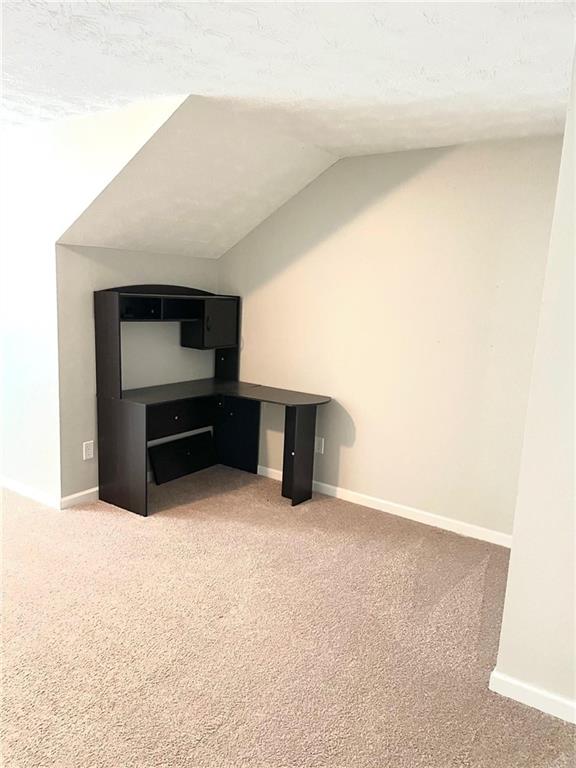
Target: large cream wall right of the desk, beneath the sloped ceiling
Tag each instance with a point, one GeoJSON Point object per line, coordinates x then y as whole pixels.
{"type": "Point", "coordinates": [407, 287]}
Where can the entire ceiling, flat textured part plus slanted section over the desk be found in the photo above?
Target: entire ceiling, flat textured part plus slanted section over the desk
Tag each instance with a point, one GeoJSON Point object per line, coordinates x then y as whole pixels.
{"type": "Point", "coordinates": [283, 90]}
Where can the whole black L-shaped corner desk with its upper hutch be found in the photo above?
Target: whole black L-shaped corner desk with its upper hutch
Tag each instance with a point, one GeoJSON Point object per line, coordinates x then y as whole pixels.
{"type": "Point", "coordinates": [219, 417]}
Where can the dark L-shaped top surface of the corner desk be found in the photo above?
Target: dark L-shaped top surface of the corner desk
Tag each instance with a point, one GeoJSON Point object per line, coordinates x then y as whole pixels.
{"type": "Point", "coordinates": [183, 390]}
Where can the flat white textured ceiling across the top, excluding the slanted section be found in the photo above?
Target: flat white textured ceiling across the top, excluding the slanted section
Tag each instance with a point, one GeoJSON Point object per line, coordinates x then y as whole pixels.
{"type": "Point", "coordinates": [353, 78]}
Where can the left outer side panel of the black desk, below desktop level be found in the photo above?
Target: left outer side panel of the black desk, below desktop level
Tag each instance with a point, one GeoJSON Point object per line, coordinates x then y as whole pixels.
{"type": "Point", "coordinates": [122, 455]}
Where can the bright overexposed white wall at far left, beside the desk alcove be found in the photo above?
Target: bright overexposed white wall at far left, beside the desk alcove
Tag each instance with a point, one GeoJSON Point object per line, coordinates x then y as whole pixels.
{"type": "Point", "coordinates": [49, 175]}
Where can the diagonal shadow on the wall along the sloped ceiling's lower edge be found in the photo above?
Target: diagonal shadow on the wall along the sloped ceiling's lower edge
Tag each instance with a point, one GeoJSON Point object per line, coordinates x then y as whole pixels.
{"type": "Point", "coordinates": [347, 189]}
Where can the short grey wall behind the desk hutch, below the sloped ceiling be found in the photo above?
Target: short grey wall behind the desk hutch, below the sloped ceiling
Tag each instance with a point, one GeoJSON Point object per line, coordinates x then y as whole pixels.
{"type": "Point", "coordinates": [151, 354]}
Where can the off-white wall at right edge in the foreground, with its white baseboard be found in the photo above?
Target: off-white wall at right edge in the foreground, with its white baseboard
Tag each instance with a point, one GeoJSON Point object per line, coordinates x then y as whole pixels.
{"type": "Point", "coordinates": [537, 659]}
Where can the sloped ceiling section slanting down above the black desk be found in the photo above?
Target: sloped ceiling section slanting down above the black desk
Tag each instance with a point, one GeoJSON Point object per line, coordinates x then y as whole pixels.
{"type": "Point", "coordinates": [204, 180]}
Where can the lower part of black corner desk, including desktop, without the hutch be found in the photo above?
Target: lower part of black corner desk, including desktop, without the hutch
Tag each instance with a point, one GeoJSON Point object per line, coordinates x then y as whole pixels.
{"type": "Point", "coordinates": [228, 412]}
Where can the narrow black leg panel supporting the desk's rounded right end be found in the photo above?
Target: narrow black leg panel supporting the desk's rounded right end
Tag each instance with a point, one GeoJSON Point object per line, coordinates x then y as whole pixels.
{"type": "Point", "coordinates": [298, 465]}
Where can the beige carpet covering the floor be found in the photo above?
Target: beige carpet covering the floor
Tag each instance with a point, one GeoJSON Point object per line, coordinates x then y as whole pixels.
{"type": "Point", "coordinates": [230, 629]}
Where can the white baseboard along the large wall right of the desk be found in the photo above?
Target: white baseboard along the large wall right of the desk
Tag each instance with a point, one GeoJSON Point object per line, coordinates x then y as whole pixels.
{"type": "Point", "coordinates": [410, 513]}
